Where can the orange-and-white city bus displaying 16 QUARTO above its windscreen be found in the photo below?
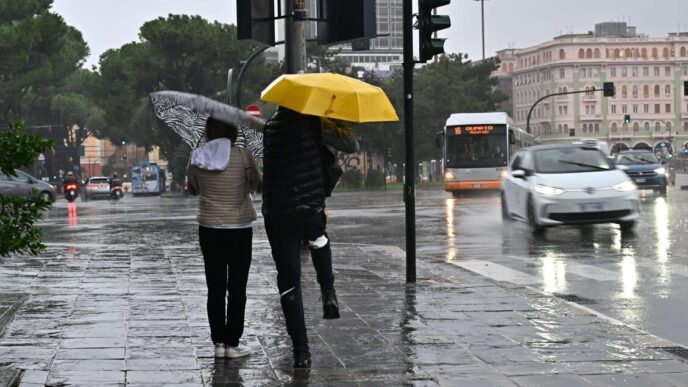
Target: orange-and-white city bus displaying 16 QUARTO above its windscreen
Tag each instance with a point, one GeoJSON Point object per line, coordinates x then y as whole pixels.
{"type": "Point", "coordinates": [477, 149]}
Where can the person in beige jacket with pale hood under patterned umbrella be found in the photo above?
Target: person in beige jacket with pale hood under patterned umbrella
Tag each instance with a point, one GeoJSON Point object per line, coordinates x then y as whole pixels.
{"type": "Point", "coordinates": [223, 175]}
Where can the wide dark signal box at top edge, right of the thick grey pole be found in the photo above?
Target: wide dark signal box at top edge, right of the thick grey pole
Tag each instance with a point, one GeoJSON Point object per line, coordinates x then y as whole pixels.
{"type": "Point", "coordinates": [347, 21]}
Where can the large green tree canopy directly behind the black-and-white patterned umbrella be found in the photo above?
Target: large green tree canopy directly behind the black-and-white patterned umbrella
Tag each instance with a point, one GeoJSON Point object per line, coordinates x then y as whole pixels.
{"type": "Point", "coordinates": [179, 52]}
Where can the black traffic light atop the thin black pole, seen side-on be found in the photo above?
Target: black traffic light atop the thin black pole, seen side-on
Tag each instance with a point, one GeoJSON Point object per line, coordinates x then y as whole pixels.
{"type": "Point", "coordinates": [428, 24]}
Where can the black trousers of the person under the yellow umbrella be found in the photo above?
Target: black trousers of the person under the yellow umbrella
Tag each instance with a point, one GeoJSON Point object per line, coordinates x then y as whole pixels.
{"type": "Point", "coordinates": [285, 237]}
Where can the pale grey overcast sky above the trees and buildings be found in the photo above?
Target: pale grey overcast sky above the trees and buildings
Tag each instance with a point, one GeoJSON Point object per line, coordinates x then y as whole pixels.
{"type": "Point", "coordinates": [508, 23]}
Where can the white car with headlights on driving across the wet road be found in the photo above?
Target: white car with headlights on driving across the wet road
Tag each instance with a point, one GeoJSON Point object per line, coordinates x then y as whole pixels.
{"type": "Point", "coordinates": [551, 185]}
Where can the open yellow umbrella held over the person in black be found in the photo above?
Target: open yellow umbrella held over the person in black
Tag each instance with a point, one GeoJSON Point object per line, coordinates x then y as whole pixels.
{"type": "Point", "coordinates": [332, 96]}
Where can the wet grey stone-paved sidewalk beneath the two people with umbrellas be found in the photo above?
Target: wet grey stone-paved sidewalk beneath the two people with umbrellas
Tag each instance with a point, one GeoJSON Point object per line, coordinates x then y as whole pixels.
{"type": "Point", "coordinates": [136, 316]}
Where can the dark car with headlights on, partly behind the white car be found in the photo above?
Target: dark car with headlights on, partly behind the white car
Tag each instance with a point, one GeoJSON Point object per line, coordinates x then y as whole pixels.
{"type": "Point", "coordinates": [646, 170]}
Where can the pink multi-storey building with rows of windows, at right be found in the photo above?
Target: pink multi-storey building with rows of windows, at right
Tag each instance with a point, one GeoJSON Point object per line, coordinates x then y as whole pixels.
{"type": "Point", "coordinates": [648, 74]}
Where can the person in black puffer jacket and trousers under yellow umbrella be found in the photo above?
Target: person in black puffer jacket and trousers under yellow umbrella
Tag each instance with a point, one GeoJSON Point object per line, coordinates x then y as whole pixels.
{"type": "Point", "coordinates": [293, 210]}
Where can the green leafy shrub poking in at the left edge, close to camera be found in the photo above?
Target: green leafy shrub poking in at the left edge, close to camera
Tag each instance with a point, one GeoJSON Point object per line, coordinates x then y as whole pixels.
{"type": "Point", "coordinates": [17, 215]}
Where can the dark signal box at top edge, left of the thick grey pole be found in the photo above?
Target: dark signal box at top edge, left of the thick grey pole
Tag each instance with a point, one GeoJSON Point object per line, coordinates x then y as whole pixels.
{"type": "Point", "coordinates": [256, 21]}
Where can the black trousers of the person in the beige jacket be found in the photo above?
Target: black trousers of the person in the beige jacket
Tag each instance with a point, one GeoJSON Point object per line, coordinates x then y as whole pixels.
{"type": "Point", "coordinates": [227, 259]}
